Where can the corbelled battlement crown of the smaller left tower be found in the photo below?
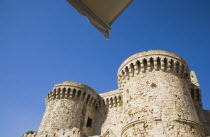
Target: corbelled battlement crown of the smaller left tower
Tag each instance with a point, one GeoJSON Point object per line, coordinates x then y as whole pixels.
{"type": "Point", "coordinates": [73, 90]}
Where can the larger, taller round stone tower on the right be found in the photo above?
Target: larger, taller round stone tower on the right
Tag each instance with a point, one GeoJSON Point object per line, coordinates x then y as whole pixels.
{"type": "Point", "coordinates": [156, 96]}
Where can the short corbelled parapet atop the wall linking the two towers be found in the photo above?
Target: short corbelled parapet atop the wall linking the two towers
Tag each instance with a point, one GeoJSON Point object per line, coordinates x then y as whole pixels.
{"type": "Point", "coordinates": [111, 99]}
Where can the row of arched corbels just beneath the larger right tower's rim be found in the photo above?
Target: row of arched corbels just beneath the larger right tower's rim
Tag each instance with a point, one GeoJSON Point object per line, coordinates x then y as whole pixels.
{"type": "Point", "coordinates": [151, 63]}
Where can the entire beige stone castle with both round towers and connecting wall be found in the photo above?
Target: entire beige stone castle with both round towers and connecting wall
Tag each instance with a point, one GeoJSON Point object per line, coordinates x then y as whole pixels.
{"type": "Point", "coordinates": [157, 97]}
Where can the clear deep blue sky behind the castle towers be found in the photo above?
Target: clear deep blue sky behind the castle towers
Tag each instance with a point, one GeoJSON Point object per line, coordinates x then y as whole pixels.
{"type": "Point", "coordinates": [44, 42]}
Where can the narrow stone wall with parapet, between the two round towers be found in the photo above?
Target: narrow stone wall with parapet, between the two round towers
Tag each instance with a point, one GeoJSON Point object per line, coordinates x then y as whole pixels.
{"type": "Point", "coordinates": [109, 114]}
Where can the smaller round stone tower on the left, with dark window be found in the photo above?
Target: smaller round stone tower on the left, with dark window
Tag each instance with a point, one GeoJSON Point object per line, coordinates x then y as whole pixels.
{"type": "Point", "coordinates": [69, 106]}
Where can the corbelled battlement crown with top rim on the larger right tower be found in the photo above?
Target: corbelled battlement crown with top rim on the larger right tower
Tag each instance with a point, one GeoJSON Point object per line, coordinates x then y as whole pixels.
{"type": "Point", "coordinates": [154, 60]}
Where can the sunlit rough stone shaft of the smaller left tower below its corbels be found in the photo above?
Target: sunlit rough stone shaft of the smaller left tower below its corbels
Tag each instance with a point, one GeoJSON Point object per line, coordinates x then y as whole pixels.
{"type": "Point", "coordinates": [61, 114]}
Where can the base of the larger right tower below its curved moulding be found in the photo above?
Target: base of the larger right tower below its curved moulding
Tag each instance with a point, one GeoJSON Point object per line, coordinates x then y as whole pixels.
{"type": "Point", "coordinates": [160, 129]}
